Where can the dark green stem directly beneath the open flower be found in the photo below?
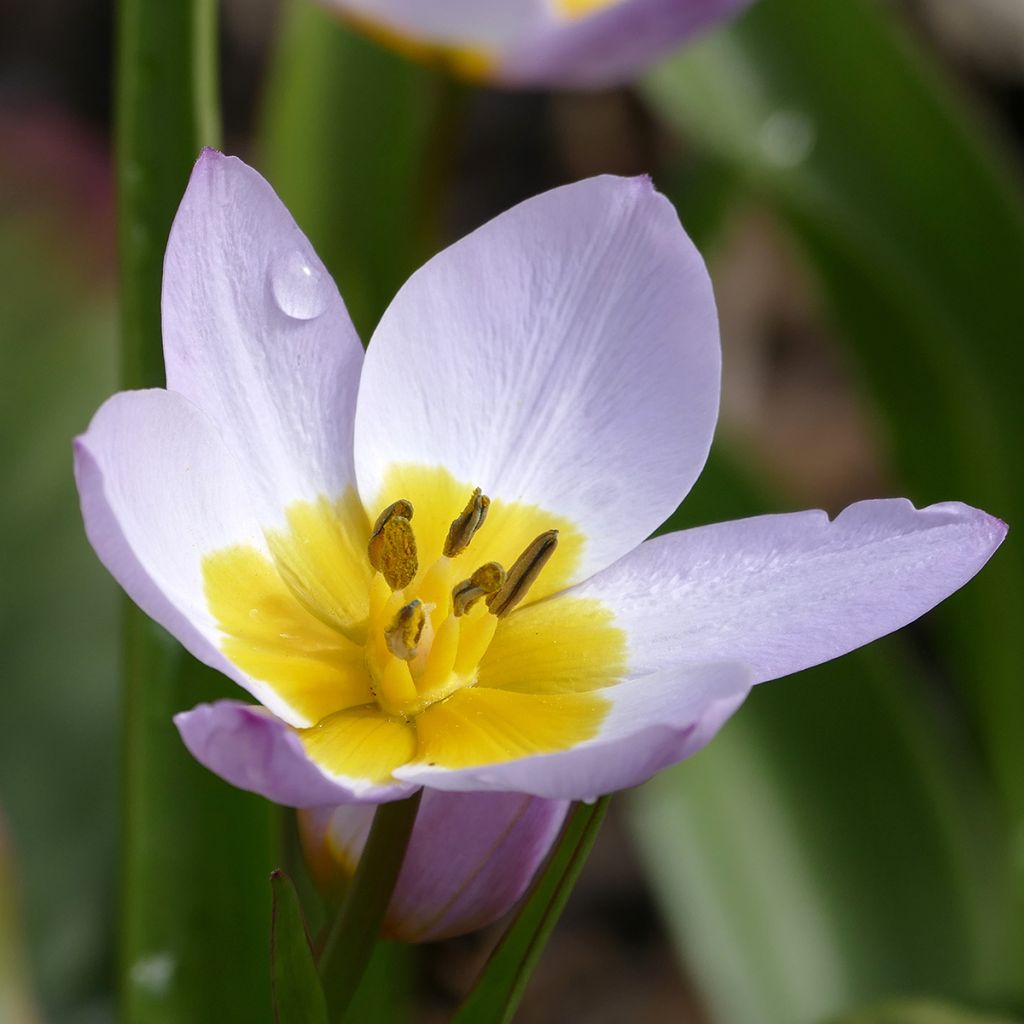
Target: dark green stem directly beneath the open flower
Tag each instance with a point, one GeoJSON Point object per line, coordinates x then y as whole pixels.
{"type": "Point", "coordinates": [351, 943]}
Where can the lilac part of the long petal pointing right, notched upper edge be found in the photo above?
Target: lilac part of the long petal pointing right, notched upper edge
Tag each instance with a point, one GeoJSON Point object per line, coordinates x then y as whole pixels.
{"type": "Point", "coordinates": [781, 593]}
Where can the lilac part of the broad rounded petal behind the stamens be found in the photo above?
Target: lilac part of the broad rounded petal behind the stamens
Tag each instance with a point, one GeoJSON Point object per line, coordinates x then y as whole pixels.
{"type": "Point", "coordinates": [566, 356]}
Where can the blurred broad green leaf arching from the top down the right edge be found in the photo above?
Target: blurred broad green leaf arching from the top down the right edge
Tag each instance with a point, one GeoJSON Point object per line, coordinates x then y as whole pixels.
{"type": "Point", "coordinates": [916, 230]}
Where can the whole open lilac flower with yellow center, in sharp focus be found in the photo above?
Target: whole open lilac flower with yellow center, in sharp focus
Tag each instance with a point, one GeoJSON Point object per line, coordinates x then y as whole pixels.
{"type": "Point", "coordinates": [429, 564]}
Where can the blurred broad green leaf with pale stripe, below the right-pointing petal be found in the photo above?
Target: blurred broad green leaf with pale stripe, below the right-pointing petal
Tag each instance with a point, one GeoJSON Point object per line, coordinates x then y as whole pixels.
{"type": "Point", "coordinates": [832, 845]}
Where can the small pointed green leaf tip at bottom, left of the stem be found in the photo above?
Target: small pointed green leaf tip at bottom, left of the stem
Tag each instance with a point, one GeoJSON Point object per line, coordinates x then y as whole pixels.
{"type": "Point", "coordinates": [298, 998]}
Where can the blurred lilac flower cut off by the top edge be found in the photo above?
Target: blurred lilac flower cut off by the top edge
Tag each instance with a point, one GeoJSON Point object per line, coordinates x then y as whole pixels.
{"type": "Point", "coordinates": [578, 44]}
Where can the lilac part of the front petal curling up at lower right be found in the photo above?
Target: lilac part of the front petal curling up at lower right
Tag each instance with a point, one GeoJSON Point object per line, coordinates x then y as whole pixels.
{"type": "Point", "coordinates": [653, 723]}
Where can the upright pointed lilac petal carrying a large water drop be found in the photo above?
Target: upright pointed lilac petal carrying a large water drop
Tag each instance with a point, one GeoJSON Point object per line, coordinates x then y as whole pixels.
{"type": "Point", "coordinates": [257, 335]}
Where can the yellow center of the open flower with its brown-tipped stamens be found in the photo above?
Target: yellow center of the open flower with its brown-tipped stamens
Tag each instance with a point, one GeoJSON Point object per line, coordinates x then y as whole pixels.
{"type": "Point", "coordinates": [421, 638]}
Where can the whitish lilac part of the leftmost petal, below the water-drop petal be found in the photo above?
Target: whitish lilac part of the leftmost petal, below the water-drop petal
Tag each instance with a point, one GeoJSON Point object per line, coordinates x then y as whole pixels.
{"type": "Point", "coordinates": [159, 491]}
